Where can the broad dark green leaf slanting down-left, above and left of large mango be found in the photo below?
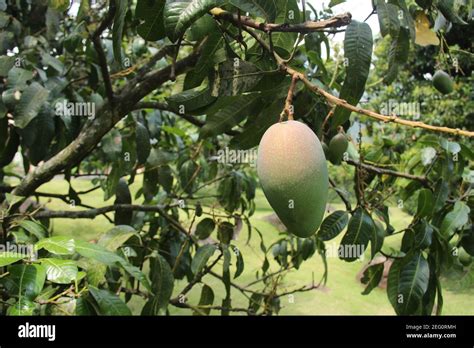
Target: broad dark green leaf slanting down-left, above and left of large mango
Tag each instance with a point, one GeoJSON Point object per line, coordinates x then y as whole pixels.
{"type": "Point", "coordinates": [234, 111]}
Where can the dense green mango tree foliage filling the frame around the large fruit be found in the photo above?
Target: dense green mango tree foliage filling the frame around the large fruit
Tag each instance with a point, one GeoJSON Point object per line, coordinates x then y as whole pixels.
{"type": "Point", "coordinates": [153, 92]}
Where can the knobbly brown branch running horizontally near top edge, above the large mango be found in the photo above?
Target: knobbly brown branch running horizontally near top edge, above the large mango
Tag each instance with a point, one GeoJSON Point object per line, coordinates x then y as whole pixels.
{"type": "Point", "coordinates": [306, 27]}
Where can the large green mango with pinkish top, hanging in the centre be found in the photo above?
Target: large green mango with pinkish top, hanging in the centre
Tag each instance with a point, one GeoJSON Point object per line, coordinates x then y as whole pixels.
{"type": "Point", "coordinates": [293, 173]}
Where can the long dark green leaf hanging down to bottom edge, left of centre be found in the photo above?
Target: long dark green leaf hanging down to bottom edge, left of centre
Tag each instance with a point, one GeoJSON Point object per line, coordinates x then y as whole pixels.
{"type": "Point", "coordinates": [162, 286]}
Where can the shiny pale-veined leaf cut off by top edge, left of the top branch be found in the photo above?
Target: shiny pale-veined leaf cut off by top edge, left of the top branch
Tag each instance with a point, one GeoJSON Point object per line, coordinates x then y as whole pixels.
{"type": "Point", "coordinates": [179, 15]}
